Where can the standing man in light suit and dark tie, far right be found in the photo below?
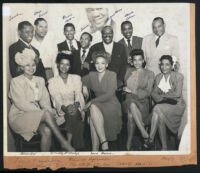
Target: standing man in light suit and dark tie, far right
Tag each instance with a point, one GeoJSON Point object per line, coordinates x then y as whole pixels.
{"type": "Point", "coordinates": [159, 43]}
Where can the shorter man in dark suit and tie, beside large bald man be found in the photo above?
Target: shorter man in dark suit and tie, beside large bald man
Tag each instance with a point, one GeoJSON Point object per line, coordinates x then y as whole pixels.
{"type": "Point", "coordinates": [80, 62]}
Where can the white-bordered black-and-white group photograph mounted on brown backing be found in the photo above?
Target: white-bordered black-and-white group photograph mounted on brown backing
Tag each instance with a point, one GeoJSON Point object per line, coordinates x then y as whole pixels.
{"type": "Point", "coordinates": [97, 78]}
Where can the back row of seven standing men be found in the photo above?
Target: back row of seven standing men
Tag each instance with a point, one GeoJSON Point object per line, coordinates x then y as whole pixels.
{"type": "Point", "coordinates": [154, 46]}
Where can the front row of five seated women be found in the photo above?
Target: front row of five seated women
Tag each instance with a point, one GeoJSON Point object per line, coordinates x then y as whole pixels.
{"type": "Point", "coordinates": [31, 110]}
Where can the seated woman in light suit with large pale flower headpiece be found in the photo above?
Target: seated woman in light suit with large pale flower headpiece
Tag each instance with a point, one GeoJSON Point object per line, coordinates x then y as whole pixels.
{"type": "Point", "coordinates": [31, 109]}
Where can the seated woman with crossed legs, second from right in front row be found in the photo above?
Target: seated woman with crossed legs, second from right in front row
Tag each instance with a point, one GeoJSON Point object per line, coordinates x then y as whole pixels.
{"type": "Point", "coordinates": [139, 84]}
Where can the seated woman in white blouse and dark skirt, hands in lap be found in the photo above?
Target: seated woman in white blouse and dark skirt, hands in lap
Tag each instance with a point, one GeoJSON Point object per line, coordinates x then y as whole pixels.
{"type": "Point", "coordinates": [66, 93]}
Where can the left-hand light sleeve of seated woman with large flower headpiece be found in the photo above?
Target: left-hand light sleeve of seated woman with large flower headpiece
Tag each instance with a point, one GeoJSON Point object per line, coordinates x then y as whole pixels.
{"type": "Point", "coordinates": [19, 98]}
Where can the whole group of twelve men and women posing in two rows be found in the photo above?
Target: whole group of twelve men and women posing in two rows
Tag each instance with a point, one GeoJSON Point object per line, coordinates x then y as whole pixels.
{"type": "Point", "coordinates": [135, 77]}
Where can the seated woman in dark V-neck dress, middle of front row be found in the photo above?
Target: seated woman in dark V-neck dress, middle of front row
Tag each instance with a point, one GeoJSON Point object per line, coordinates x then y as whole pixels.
{"type": "Point", "coordinates": [105, 109]}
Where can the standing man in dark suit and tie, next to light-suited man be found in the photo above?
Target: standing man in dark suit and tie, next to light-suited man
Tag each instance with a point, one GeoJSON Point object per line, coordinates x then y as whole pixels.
{"type": "Point", "coordinates": [129, 41]}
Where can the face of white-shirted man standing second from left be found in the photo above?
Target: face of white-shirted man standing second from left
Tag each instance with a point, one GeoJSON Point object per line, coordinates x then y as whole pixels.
{"type": "Point", "coordinates": [41, 29]}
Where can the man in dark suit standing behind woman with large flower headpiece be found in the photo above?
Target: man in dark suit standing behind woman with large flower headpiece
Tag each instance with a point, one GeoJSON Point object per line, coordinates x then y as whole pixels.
{"type": "Point", "coordinates": [25, 31]}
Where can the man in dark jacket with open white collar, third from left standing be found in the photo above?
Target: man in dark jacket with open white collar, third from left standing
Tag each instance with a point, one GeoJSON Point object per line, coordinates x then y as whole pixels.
{"type": "Point", "coordinates": [70, 44]}
